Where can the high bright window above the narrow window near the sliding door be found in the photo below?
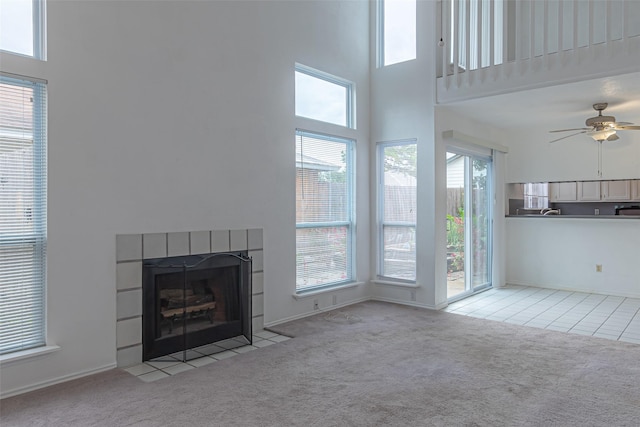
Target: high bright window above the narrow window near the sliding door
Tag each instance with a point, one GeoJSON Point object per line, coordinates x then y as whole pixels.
{"type": "Point", "coordinates": [396, 31]}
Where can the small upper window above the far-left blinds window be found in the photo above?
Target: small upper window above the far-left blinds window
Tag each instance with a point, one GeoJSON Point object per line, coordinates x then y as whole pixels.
{"type": "Point", "coordinates": [22, 27]}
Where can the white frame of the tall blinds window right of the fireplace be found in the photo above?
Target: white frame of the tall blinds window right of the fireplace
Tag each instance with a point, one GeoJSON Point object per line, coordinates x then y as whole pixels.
{"type": "Point", "coordinates": [349, 223]}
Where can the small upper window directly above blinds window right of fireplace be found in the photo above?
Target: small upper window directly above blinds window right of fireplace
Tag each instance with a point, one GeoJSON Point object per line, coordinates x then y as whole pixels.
{"type": "Point", "coordinates": [321, 96]}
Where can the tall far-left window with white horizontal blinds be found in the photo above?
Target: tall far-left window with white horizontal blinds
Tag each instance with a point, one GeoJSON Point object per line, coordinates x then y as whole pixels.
{"type": "Point", "coordinates": [23, 213]}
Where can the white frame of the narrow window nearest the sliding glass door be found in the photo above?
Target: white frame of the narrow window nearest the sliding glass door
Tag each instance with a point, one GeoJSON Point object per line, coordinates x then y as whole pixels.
{"type": "Point", "coordinates": [382, 223]}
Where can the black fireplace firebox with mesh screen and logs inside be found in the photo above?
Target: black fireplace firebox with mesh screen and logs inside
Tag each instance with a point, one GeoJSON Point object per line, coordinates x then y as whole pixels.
{"type": "Point", "coordinates": [190, 301]}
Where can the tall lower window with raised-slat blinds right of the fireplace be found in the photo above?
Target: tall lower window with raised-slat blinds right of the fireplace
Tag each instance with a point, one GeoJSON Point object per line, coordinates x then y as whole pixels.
{"type": "Point", "coordinates": [324, 210]}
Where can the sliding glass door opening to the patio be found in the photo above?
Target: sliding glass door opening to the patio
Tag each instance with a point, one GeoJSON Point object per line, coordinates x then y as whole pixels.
{"type": "Point", "coordinates": [469, 219]}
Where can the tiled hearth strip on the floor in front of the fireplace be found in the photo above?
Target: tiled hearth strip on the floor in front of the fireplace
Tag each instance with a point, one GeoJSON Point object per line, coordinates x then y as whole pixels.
{"type": "Point", "coordinates": [166, 366]}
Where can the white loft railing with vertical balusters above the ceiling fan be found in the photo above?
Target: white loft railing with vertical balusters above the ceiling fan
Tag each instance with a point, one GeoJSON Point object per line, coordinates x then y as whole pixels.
{"type": "Point", "coordinates": [526, 35]}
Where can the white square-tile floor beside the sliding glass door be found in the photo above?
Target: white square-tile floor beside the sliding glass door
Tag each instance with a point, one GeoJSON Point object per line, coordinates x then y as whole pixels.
{"type": "Point", "coordinates": [603, 316]}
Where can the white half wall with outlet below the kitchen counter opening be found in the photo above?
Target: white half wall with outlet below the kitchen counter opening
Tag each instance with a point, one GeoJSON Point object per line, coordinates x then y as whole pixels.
{"type": "Point", "coordinates": [562, 253]}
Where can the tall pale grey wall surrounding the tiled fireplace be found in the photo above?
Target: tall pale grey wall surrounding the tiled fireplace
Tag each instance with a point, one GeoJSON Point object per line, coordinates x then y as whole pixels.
{"type": "Point", "coordinates": [178, 116]}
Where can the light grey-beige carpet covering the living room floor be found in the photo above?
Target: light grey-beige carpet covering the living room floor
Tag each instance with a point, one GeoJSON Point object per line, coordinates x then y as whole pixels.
{"type": "Point", "coordinates": [370, 364]}
